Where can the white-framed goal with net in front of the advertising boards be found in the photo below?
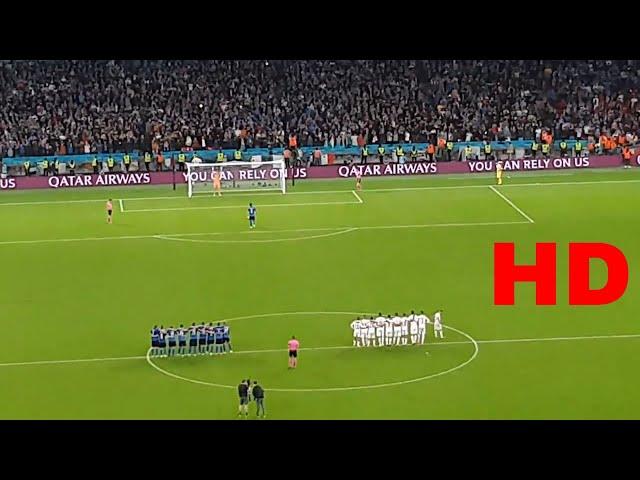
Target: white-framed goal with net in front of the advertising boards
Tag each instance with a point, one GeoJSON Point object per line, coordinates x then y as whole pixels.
{"type": "Point", "coordinates": [236, 176]}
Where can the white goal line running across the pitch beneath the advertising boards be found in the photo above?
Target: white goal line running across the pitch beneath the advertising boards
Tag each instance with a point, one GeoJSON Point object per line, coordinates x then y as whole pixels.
{"type": "Point", "coordinates": [317, 192]}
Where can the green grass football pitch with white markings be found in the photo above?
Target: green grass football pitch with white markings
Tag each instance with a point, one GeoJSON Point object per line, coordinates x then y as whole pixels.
{"type": "Point", "coordinates": [78, 298]}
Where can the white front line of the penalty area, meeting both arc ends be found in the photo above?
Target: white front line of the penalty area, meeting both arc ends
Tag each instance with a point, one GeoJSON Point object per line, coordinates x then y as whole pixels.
{"type": "Point", "coordinates": [253, 232]}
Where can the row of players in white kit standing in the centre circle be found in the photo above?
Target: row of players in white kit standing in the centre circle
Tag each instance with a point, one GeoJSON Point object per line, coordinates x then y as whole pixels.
{"type": "Point", "coordinates": [395, 330]}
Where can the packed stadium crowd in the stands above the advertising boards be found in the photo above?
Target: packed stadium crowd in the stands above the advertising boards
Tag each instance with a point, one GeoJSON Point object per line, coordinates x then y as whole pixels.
{"type": "Point", "coordinates": [65, 107]}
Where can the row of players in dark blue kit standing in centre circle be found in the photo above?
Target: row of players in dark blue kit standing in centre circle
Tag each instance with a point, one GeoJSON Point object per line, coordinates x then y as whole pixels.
{"type": "Point", "coordinates": [195, 340]}
